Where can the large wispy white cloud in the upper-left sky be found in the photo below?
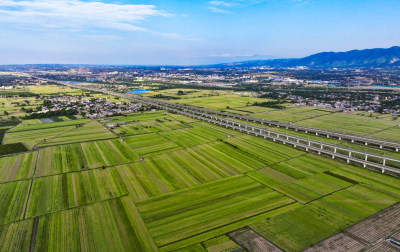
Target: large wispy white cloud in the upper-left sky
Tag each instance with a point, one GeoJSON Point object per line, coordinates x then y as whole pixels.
{"type": "Point", "coordinates": [77, 14]}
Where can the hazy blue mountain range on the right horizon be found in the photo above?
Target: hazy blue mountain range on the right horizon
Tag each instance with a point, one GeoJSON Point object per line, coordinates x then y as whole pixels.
{"type": "Point", "coordinates": [378, 57]}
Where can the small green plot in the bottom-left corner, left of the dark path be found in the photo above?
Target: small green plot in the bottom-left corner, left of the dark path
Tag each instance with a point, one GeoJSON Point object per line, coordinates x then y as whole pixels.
{"type": "Point", "coordinates": [16, 236]}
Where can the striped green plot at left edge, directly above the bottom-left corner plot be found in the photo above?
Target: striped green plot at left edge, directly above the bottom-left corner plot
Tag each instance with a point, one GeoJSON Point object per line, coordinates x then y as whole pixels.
{"type": "Point", "coordinates": [13, 197]}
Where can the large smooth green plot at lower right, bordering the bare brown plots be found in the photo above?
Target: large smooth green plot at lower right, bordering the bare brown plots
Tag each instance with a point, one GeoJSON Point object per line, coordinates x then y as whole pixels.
{"type": "Point", "coordinates": [302, 227]}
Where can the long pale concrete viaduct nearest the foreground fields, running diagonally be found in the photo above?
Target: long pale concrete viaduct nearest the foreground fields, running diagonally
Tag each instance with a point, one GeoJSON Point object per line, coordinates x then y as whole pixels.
{"type": "Point", "coordinates": [382, 163]}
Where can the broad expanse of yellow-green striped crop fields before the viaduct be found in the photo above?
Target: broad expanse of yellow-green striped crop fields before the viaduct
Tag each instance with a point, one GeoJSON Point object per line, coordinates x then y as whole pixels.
{"type": "Point", "coordinates": [165, 182]}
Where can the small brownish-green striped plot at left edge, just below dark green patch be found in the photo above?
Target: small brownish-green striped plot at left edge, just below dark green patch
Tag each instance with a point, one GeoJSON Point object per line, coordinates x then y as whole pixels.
{"type": "Point", "coordinates": [17, 167]}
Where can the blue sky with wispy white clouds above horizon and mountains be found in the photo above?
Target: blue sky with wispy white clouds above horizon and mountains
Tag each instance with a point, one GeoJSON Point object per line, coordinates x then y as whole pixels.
{"type": "Point", "coordinates": [189, 32]}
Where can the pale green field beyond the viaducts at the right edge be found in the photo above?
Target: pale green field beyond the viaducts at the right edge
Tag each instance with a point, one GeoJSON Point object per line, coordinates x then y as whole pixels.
{"type": "Point", "coordinates": [350, 123]}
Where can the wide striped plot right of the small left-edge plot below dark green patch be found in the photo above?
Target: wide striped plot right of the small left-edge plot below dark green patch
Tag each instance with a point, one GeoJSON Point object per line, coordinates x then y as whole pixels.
{"type": "Point", "coordinates": [76, 157]}
